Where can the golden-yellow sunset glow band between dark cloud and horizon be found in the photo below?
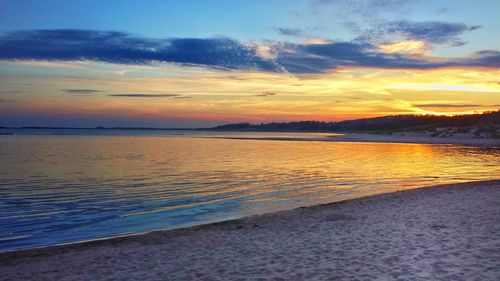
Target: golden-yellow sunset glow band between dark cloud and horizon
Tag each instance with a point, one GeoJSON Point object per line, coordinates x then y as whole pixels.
{"type": "Point", "coordinates": [222, 96]}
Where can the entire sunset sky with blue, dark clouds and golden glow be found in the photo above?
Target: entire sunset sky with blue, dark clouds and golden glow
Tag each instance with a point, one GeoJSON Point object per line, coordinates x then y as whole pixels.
{"type": "Point", "coordinates": [203, 63]}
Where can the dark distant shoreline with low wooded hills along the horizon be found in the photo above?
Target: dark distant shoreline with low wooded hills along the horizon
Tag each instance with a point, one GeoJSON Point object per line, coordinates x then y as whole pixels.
{"type": "Point", "coordinates": [484, 123]}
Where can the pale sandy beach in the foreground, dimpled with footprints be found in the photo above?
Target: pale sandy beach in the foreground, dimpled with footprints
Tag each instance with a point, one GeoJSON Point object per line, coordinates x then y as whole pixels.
{"type": "Point", "coordinates": [447, 232]}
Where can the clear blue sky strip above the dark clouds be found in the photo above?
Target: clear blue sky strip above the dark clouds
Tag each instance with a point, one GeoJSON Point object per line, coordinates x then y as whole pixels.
{"type": "Point", "coordinates": [246, 20]}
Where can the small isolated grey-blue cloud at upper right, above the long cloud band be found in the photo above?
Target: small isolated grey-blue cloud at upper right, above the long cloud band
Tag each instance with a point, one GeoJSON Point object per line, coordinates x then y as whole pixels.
{"type": "Point", "coordinates": [431, 31]}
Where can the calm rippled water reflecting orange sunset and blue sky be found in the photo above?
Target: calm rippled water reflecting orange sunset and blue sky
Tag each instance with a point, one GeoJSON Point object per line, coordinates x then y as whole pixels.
{"type": "Point", "coordinates": [77, 186]}
